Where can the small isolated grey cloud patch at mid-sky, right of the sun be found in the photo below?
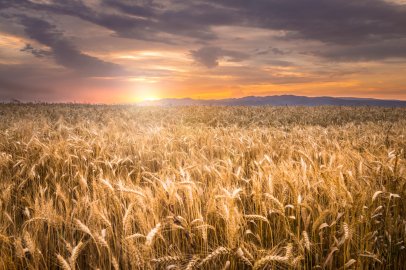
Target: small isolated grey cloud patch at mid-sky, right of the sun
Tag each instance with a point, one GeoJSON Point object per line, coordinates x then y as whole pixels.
{"type": "Point", "coordinates": [209, 56]}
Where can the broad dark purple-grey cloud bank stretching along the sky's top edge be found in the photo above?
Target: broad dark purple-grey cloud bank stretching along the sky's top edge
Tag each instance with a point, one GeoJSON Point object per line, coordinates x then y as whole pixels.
{"type": "Point", "coordinates": [336, 21]}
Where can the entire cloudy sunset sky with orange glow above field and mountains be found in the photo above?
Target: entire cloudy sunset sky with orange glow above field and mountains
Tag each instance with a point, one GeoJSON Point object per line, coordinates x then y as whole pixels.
{"type": "Point", "coordinates": [122, 51]}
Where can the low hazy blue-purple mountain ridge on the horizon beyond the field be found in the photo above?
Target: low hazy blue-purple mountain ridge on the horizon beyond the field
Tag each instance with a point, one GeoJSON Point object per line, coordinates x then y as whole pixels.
{"type": "Point", "coordinates": [278, 101]}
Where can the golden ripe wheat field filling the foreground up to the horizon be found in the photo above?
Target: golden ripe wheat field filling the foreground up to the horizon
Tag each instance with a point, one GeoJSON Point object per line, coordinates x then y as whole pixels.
{"type": "Point", "coordinates": [127, 187]}
